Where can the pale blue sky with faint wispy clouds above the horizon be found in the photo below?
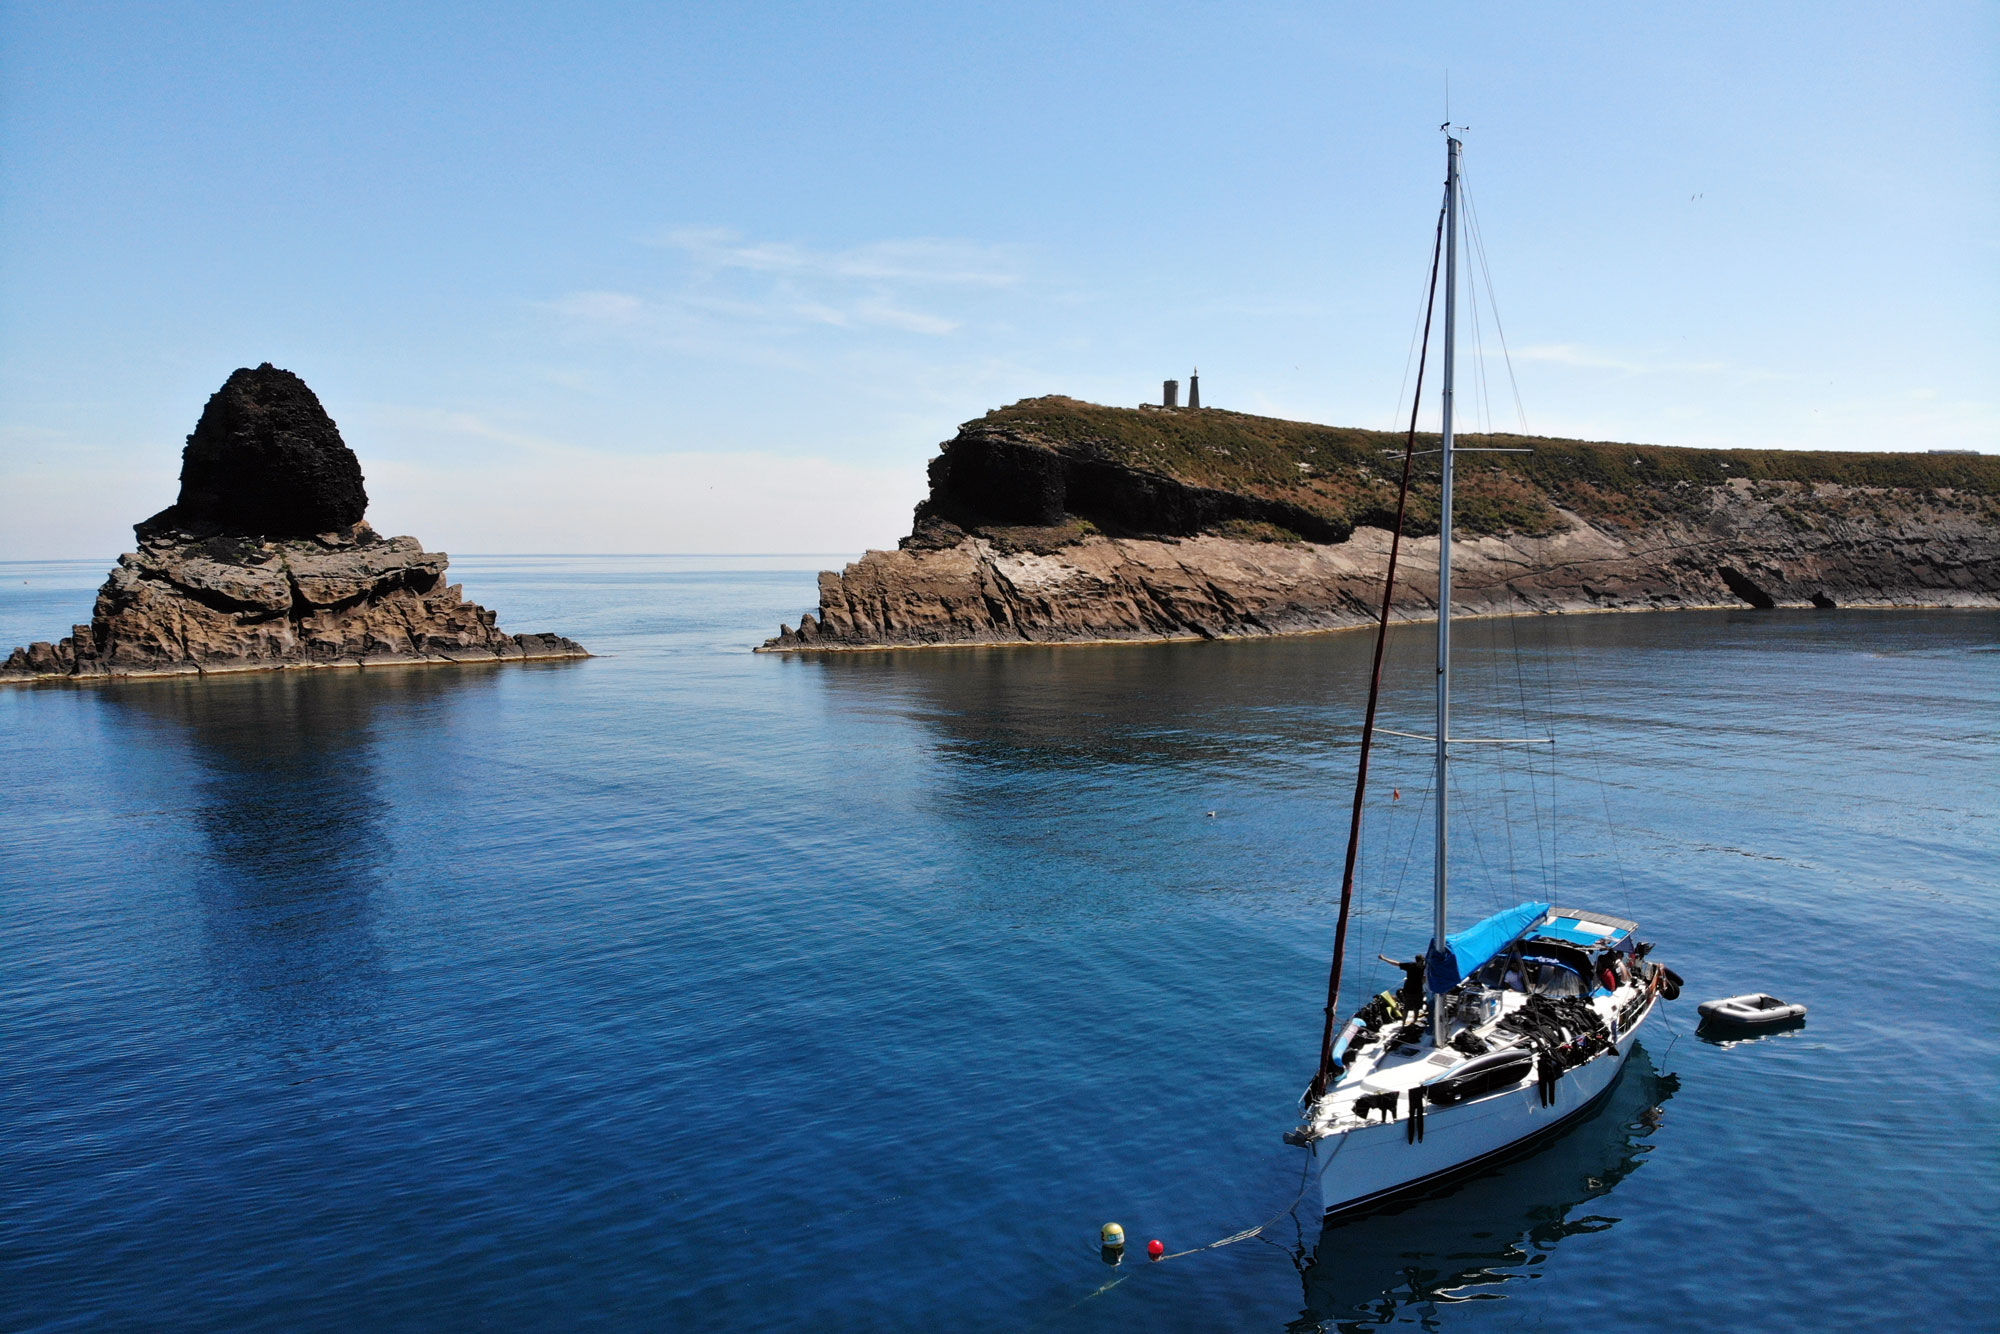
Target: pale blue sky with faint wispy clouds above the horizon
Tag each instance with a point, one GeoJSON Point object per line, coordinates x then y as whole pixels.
{"type": "Point", "coordinates": [655, 279]}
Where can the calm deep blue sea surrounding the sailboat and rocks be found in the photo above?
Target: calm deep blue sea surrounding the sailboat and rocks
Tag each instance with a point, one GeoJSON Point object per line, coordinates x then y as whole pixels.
{"type": "Point", "coordinates": [693, 989]}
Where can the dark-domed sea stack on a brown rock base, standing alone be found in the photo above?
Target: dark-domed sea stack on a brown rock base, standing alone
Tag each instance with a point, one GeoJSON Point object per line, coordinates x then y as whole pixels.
{"type": "Point", "coordinates": [265, 563]}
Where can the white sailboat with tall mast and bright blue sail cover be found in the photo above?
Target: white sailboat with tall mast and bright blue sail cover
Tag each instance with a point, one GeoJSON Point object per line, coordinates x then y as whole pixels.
{"type": "Point", "coordinates": [1503, 1033]}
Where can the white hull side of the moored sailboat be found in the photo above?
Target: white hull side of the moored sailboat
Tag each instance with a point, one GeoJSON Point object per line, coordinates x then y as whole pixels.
{"type": "Point", "coordinates": [1373, 1165]}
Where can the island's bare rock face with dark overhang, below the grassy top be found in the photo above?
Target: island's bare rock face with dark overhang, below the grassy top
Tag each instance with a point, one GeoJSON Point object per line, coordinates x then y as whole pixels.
{"type": "Point", "coordinates": [1033, 541]}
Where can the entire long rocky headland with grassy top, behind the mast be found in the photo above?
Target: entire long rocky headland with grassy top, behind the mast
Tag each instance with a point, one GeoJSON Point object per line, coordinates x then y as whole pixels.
{"type": "Point", "coordinates": [1057, 521]}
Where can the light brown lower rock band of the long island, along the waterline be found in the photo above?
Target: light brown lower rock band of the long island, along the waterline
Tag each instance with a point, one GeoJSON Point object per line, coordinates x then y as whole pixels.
{"type": "Point", "coordinates": [1215, 587]}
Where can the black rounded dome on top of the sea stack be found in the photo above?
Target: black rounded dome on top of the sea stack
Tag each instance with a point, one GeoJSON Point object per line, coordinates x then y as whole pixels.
{"type": "Point", "coordinates": [267, 461]}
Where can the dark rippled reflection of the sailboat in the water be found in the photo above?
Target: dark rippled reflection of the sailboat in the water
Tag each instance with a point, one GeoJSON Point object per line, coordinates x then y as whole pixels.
{"type": "Point", "coordinates": [1475, 1241]}
